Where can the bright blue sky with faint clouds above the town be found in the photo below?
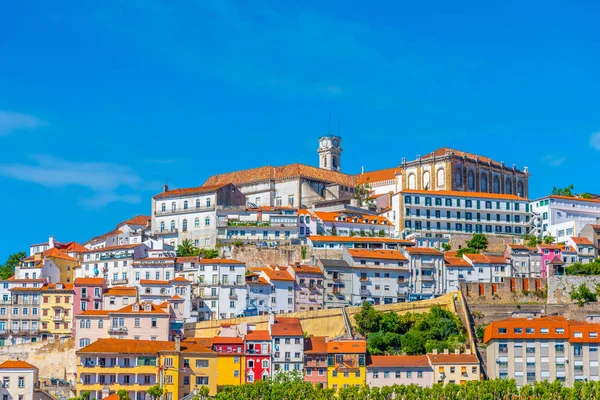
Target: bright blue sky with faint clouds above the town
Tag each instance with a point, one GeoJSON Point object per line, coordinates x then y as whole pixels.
{"type": "Point", "coordinates": [102, 102]}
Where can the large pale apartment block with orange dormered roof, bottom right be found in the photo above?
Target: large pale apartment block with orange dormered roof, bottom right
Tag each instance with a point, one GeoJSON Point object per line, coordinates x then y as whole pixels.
{"type": "Point", "coordinates": [543, 348]}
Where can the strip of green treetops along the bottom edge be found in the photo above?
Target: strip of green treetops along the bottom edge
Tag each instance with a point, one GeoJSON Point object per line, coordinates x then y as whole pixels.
{"type": "Point", "coordinates": [292, 387]}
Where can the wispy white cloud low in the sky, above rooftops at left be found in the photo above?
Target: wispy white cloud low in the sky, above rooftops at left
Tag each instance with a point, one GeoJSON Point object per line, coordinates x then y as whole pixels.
{"type": "Point", "coordinates": [108, 182]}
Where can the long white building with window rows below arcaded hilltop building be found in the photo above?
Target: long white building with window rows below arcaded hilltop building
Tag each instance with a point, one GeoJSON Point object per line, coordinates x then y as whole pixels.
{"type": "Point", "coordinates": [447, 212]}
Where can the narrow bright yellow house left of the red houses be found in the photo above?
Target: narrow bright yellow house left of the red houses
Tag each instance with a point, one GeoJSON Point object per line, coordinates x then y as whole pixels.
{"type": "Point", "coordinates": [230, 361]}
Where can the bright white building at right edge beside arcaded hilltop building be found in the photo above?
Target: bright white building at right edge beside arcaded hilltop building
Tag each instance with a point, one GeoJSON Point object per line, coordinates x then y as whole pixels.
{"type": "Point", "coordinates": [563, 217]}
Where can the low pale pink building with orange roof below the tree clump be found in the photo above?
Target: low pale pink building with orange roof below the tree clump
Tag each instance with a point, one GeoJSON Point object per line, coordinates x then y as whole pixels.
{"type": "Point", "coordinates": [390, 370]}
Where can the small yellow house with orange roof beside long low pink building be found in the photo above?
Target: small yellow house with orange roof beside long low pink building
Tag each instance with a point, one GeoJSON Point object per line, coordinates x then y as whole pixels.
{"type": "Point", "coordinates": [346, 364]}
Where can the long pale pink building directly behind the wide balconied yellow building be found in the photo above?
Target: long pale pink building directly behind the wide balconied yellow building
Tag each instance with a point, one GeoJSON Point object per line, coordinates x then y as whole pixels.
{"type": "Point", "coordinates": [139, 321]}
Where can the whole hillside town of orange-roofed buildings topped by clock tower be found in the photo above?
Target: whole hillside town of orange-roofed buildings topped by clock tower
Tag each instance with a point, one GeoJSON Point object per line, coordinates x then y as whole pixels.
{"type": "Point", "coordinates": [274, 270]}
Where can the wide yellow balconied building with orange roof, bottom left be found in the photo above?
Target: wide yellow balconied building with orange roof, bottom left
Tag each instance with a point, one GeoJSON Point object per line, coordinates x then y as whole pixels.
{"type": "Point", "coordinates": [133, 365]}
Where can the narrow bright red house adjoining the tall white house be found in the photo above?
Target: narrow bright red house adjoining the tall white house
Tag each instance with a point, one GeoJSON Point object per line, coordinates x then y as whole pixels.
{"type": "Point", "coordinates": [258, 355]}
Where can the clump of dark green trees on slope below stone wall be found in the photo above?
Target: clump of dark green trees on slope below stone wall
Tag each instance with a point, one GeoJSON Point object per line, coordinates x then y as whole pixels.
{"type": "Point", "coordinates": [411, 333]}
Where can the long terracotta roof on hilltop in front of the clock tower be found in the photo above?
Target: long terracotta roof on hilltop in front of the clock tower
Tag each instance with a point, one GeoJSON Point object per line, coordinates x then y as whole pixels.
{"type": "Point", "coordinates": [290, 171]}
